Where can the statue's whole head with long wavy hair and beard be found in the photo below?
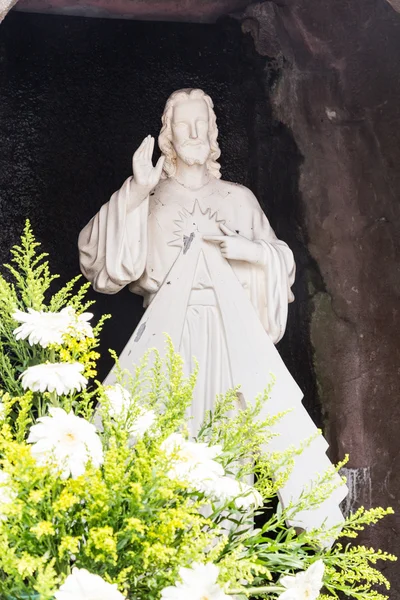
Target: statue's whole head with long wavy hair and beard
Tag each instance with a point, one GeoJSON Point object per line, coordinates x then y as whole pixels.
{"type": "Point", "coordinates": [189, 131]}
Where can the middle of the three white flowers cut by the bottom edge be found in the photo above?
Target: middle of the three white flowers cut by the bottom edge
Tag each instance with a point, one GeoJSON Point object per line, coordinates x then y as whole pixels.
{"type": "Point", "coordinates": [198, 582]}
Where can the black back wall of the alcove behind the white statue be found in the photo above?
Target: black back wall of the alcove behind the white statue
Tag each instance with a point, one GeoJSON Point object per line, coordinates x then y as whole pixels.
{"type": "Point", "coordinates": [79, 95]}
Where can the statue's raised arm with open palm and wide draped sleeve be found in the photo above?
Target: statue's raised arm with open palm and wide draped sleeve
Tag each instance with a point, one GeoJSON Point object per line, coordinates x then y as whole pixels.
{"type": "Point", "coordinates": [113, 245]}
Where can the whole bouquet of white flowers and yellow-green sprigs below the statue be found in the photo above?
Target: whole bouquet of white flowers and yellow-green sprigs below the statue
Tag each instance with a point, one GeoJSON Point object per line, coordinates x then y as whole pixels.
{"type": "Point", "coordinates": [103, 496]}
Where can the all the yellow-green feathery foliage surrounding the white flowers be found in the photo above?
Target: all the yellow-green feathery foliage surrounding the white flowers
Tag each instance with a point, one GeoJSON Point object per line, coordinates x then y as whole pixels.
{"type": "Point", "coordinates": [129, 520]}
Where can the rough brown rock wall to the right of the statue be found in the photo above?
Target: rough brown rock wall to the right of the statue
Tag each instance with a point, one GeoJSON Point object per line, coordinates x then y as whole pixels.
{"type": "Point", "coordinates": [339, 96]}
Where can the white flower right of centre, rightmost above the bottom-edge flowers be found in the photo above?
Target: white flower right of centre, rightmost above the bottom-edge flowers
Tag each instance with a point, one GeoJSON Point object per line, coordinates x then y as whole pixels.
{"type": "Point", "coordinates": [226, 489]}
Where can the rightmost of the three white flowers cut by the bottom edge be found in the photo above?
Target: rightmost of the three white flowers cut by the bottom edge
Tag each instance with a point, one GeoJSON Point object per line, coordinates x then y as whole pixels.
{"type": "Point", "coordinates": [305, 585]}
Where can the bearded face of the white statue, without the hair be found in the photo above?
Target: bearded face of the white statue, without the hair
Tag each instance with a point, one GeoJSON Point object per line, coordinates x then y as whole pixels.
{"type": "Point", "coordinates": [190, 131]}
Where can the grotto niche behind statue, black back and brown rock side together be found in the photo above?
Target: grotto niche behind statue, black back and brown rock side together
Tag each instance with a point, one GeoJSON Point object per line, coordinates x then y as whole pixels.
{"type": "Point", "coordinates": [309, 120]}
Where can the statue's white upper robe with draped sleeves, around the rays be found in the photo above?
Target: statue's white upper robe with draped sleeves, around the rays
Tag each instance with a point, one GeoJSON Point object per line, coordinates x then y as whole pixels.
{"type": "Point", "coordinates": [119, 249]}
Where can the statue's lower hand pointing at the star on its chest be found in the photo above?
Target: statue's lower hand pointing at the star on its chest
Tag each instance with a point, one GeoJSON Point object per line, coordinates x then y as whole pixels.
{"type": "Point", "coordinates": [235, 246]}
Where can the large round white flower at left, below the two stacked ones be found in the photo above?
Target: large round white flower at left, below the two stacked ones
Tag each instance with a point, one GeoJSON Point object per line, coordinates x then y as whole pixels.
{"type": "Point", "coordinates": [66, 441]}
